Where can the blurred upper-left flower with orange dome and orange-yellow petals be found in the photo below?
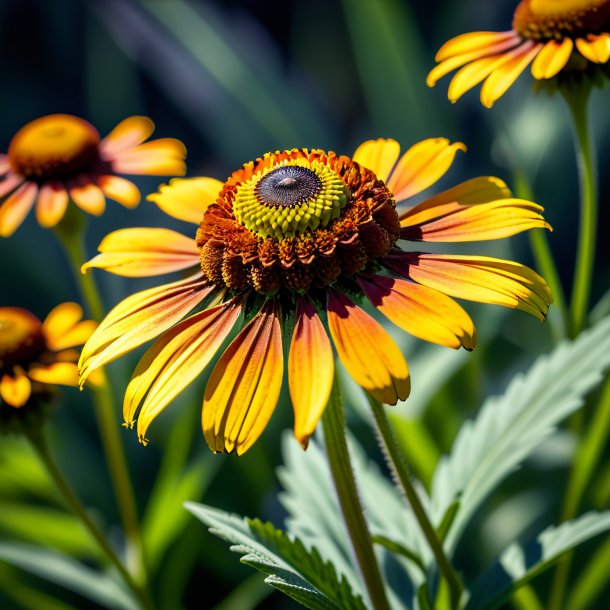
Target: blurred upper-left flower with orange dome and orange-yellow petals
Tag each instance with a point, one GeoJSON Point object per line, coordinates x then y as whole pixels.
{"type": "Point", "coordinates": [59, 156]}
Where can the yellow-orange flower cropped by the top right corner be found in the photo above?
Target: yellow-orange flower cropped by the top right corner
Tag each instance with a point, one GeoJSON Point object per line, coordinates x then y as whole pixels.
{"type": "Point", "coordinates": [546, 32]}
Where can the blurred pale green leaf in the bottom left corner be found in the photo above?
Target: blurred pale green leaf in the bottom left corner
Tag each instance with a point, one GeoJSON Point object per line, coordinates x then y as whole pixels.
{"type": "Point", "coordinates": [60, 569]}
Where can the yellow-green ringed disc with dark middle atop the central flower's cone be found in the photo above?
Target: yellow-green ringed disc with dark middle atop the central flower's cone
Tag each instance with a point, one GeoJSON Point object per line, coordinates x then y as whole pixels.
{"type": "Point", "coordinates": [289, 199]}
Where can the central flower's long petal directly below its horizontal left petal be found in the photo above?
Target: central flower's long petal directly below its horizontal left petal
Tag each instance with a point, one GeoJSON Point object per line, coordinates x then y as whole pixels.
{"type": "Point", "coordinates": [139, 318]}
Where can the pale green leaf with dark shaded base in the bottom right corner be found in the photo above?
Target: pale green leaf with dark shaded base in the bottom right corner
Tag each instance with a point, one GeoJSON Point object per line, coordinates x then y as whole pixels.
{"type": "Point", "coordinates": [516, 565]}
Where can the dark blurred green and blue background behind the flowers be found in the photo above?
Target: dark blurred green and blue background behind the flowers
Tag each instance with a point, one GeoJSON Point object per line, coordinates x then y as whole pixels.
{"type": "Point", "coordinates": [234, 79]}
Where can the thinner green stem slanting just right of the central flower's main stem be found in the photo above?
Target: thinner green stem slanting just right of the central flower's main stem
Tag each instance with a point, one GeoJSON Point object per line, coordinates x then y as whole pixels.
{"type": "Point", "coordinates": [403, 475]}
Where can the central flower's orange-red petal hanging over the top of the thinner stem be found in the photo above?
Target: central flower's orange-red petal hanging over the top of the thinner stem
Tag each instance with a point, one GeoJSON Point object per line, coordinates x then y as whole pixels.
{"type": "Point", "coordinates": [367, 351]}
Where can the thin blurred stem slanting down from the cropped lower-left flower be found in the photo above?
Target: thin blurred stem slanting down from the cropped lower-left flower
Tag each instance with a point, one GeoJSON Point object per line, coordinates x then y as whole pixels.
{"type": "Point", "coordinates": [39, 444]}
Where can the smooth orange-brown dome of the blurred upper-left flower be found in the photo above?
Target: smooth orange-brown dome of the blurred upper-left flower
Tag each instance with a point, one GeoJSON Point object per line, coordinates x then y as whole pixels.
{"type": "Point", "coordinates": [54, 146]}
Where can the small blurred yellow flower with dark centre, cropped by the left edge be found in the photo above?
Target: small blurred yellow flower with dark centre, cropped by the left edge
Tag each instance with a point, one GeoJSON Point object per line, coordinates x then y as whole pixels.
{"type": "Point", "coordinates": [35, 355]}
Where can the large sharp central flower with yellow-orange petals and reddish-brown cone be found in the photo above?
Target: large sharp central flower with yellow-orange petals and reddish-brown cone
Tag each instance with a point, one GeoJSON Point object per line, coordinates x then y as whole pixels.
{"type": "Point", "coordinates": [295, 240]}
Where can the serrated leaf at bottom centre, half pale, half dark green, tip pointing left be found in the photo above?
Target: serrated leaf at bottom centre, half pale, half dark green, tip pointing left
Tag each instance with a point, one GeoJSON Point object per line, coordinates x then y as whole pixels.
{"type": "Point", "coordinates": [294, 570]}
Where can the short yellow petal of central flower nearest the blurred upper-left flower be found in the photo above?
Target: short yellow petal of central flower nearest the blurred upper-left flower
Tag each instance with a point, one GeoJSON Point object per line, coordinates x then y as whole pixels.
{"type": "Point", "coordinates": [187, 198]}
